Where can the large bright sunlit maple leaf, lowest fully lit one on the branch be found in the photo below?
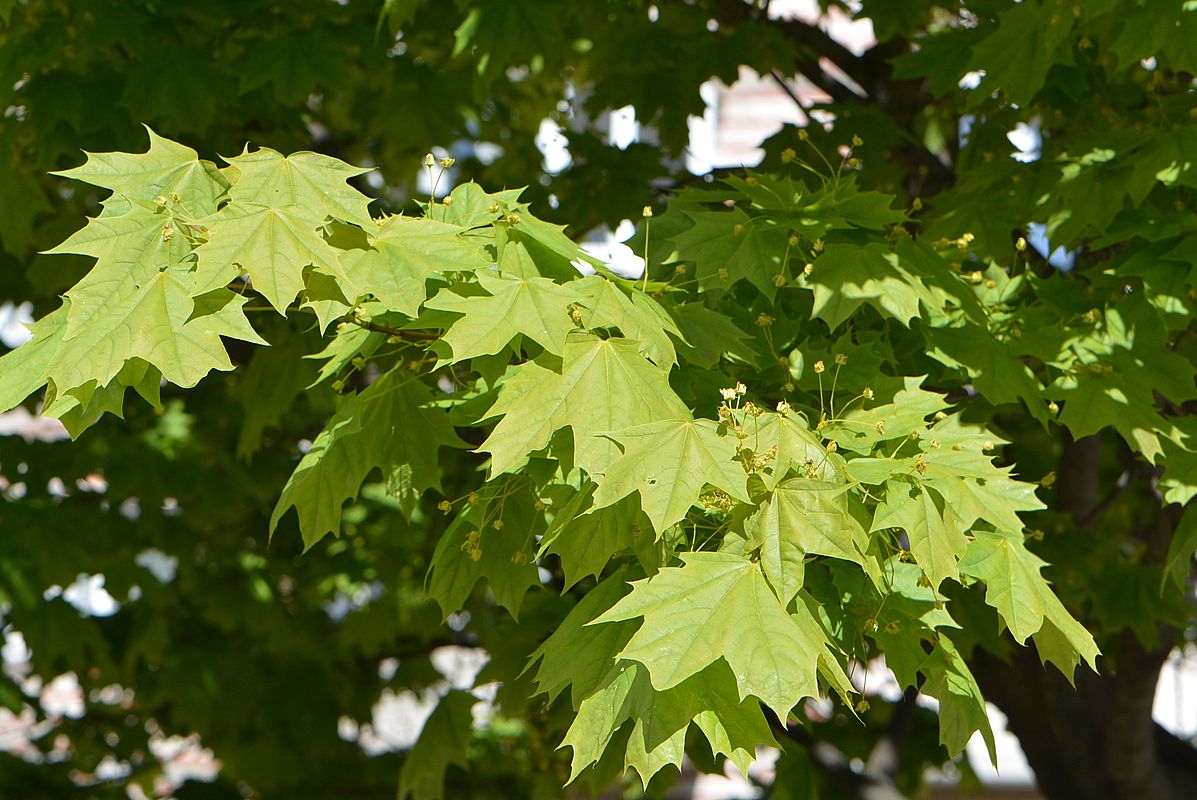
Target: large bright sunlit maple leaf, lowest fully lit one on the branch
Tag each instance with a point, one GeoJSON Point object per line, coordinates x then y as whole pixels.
{"type": "Point", "coordinates": [716, 607]}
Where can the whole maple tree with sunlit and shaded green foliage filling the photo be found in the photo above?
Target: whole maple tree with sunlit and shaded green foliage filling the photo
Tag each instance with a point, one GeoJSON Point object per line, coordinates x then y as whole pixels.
{"type": "Point", "coordinates": [848, 413]}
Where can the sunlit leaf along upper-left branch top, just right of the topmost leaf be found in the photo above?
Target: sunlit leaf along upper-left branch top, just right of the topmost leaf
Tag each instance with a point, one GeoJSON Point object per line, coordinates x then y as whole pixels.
{"type": "Point", "coordinates": [307, 180]}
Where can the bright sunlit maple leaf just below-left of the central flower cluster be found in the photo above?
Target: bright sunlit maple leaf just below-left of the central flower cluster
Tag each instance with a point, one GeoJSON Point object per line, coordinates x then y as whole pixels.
{"type": "Point", "coordinates": [669, 463]}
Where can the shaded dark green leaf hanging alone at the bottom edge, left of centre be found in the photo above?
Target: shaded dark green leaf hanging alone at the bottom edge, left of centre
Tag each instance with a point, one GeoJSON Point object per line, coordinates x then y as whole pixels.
{"type": "Point", "coordinates": [445, 741]}
